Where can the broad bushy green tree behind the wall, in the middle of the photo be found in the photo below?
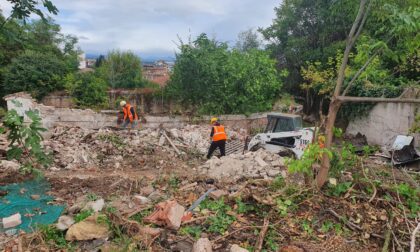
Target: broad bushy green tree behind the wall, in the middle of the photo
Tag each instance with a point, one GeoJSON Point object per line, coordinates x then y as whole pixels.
{"type": "Point", "coordinates": [217, 80]}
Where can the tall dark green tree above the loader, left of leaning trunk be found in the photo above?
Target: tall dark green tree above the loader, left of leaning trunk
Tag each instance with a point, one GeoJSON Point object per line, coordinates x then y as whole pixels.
{"type": "Point", "coordinates": [307, 31]}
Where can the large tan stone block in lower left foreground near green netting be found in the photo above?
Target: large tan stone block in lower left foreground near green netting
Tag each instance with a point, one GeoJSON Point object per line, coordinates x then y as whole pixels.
{"type": "Point", "coordinates": [88, 229]}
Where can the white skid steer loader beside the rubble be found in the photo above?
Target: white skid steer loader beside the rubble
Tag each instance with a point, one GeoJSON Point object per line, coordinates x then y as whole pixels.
{"type": "Point", "coordinates": [283, 135]}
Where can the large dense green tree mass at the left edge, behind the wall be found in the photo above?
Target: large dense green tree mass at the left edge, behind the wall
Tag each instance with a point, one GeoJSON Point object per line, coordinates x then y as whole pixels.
{"type": "Point", "coordinates": [34, 57]}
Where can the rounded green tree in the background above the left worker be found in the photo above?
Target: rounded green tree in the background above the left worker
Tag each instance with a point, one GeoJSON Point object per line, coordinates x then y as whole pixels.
{"type": "Point", "coordinates": [122, 70]}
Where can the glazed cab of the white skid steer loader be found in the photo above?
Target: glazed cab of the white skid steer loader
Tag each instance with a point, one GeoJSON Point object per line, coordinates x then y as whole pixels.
{"type": "Point", "coordinates": [279, 122]}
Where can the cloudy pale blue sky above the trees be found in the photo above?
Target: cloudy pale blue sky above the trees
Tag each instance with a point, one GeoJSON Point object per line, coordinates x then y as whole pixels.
{"type": "Point", "coordinates": [151, 28]}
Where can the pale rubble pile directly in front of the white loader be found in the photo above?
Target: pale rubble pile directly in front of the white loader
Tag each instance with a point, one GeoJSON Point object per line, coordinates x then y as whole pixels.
{"type": "Point", "coordinates": [259, 164]}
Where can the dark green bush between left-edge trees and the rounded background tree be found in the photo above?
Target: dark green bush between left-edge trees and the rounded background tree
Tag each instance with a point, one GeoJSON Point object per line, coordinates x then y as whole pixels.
{"type": "Point", "coordinates": [87, 89]}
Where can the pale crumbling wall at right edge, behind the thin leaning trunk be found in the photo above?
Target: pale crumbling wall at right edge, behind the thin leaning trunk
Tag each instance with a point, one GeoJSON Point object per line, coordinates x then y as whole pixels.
{"type": "Point", "coordinates": [384, 122]}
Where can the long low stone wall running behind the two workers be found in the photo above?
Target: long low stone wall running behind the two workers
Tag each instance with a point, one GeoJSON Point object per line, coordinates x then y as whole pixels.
{"type": "Point", "coordinates": [86, 118]}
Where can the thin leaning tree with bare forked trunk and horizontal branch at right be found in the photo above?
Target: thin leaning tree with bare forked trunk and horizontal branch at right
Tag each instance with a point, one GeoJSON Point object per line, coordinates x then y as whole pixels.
{"type": "Point", "coordinates": [340, 91]}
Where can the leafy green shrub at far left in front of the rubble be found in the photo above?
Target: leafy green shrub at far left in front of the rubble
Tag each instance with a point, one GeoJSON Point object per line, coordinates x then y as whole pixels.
{"type": "Point", "coordinates": [25, 141]}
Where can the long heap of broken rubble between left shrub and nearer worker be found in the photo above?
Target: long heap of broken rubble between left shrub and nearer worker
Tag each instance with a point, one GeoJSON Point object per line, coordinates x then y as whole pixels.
{"type": "Point", "coordinates": [75, 148]}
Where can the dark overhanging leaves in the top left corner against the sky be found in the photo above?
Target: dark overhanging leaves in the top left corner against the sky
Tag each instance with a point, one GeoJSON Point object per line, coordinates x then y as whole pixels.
{"type": "Point", "coordinates": [22, 9]}
